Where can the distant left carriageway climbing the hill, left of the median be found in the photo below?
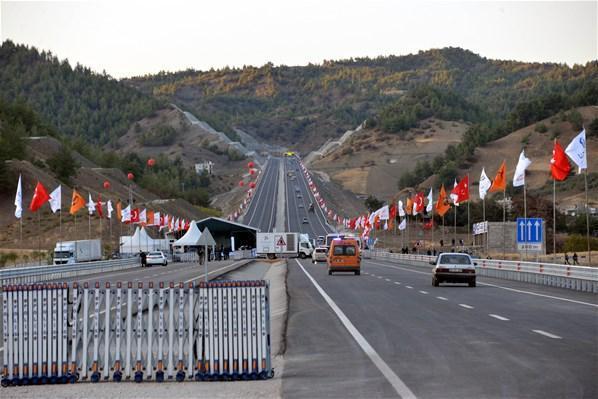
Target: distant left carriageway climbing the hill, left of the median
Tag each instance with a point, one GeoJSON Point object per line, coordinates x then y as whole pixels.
{"type": "Point", "coordinates": [262, 208]}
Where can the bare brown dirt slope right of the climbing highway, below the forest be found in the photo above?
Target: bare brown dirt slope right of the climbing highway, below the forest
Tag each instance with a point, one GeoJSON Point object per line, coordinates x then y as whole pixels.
{"type": "Point", "coordinates": [371, 162]}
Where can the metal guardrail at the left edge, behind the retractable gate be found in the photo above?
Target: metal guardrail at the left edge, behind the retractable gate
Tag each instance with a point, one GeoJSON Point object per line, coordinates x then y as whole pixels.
{"type": "Point", "coordinates": [36, 274]}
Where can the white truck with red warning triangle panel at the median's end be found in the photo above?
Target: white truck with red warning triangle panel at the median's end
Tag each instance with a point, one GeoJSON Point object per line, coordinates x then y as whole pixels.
{"type": "Point", "coordinates": [273, 245]}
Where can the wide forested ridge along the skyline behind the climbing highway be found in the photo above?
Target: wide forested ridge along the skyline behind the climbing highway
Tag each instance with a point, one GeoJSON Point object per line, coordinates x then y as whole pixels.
{"type": "Point", "coordinates": [303, 106]}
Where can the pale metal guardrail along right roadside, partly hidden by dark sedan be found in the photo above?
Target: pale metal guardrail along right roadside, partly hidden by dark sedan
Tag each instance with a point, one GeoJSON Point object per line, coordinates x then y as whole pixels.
{"type": "Point", "coordinates": [579, 278]}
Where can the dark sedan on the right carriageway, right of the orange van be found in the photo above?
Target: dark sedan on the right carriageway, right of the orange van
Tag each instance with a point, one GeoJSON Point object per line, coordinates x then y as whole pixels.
{"type": "Point", "coordinates": [453, 267]}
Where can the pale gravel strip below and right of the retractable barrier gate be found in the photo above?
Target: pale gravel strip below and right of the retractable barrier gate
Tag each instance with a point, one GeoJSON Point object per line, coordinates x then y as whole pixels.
{"type": "Point", "coordinates": [272, 388]}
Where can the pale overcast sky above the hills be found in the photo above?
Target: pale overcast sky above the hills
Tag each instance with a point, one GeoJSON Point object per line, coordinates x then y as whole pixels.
{"type": "Point", "coordinates": [130, 38]}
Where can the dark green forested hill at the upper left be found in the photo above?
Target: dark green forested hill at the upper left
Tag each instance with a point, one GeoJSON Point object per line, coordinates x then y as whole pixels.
{"type": "Point", "coordinates": [77, 101]}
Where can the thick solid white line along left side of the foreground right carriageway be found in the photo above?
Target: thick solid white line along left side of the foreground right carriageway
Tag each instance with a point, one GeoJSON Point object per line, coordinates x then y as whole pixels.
{"type": "Point", "coordinates": [390, 375]}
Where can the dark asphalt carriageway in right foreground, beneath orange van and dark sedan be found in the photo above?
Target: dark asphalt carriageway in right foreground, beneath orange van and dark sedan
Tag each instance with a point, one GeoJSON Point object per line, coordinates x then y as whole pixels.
{"type": "Point", "coordinates": [507, 339]}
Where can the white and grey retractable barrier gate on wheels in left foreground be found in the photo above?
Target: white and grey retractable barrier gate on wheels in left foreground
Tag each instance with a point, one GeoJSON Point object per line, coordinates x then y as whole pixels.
{"type": "Point", "coordinates": [56, 333]}
